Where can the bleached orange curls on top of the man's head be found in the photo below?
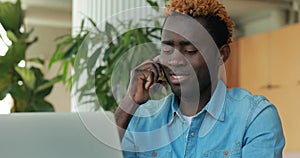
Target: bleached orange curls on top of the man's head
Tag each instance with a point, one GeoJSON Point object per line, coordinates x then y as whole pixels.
{"type": "Point", "coordinates": [202, 8]}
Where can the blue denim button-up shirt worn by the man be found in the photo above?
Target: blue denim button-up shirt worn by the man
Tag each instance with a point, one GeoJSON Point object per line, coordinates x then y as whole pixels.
{"type": "Point", "coordinates": [234, 123]}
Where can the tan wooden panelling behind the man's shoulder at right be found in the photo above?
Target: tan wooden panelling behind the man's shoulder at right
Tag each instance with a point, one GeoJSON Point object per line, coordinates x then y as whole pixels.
{"type": "Point", "coordinates": [269, 65]}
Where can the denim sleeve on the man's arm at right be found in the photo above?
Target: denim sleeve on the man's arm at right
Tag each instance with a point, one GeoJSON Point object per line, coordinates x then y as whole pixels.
{"type": "Point", "coordinates": [264, 136]}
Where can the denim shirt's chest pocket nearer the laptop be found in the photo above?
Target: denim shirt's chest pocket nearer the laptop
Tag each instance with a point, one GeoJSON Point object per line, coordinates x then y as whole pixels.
{"type": "Point", "coordinates": [159, 153]}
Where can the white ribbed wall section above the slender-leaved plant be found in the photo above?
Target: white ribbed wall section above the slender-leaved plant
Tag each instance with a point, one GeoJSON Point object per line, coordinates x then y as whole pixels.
{"type": "Point", "coordinates": [110, 10]}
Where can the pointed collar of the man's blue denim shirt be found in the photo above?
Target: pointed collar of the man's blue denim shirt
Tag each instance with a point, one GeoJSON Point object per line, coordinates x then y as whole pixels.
{"type": "Point", "coordinates": [215, 107]}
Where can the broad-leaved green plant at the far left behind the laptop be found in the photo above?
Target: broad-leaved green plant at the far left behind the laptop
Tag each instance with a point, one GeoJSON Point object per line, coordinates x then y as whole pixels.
{"type": "Point", "coordinates": [25, 83]}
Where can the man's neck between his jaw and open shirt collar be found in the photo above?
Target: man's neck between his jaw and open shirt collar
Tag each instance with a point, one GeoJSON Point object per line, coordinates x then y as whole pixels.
{"type": "Point", "coordinates": [192, 106]}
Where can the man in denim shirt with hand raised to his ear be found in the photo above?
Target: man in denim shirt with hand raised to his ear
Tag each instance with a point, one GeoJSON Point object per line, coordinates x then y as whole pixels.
{"type": "Point", "coordinates": [200, 118]}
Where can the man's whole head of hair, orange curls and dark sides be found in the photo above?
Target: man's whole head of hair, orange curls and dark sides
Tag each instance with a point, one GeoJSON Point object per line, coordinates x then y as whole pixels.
{"type": "Point", "coordinates": [218, 22]}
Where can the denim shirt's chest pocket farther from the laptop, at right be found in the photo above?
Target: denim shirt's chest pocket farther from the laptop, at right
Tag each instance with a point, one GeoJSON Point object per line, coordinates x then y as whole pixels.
{"type": "Point", "coordinates": [234, 152]}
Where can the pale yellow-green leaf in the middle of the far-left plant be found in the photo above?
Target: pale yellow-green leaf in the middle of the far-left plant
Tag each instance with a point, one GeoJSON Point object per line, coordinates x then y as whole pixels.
{"type": "Point", "coordinates": [27, 75]}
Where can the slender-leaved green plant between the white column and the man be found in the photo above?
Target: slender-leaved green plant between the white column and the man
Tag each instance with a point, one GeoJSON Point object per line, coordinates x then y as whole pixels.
{"type": "Point", "coordinates": [70, 49]}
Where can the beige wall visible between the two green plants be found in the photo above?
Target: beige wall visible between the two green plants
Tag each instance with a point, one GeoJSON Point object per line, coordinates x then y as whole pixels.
{"type": "Point", "coordinates": [44, 48]}
